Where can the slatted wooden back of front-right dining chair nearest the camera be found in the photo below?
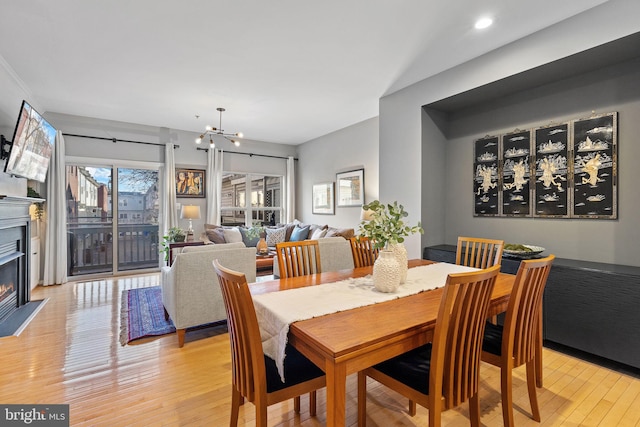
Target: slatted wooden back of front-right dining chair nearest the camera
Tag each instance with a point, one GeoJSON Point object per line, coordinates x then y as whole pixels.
{"type": "Point", "coordinates": [457, 341]}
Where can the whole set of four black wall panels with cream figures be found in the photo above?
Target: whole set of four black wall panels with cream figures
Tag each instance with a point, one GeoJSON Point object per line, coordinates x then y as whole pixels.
{"type": "Point", "coordinates": [566, 170]}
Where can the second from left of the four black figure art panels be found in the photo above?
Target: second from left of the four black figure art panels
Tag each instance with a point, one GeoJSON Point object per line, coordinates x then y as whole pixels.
{"type": "Point", "coordinates": [516, 173]}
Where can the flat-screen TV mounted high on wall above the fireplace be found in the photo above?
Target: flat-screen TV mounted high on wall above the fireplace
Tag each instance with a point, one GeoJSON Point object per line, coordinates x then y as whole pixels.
{"type": "Point", "coordinates": [32, 145]}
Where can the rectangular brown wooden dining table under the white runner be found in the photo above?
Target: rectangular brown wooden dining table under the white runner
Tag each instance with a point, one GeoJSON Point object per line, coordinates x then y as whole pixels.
{"type": "Point", "coordinates": [348, 341]}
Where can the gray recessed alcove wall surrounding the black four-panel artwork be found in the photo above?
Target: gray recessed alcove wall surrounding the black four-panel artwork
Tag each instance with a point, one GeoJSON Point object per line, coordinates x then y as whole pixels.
{"type": "Point", "coordinates": [603, 91]}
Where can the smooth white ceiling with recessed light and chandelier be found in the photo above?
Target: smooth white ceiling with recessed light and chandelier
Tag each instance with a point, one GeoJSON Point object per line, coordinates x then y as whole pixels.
{"type": "Point", "coordinates": [287, 71]}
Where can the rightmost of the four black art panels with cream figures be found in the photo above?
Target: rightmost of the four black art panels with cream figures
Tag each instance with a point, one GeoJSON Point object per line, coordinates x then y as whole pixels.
{"type": "Point", "coordinates": [595, 167]}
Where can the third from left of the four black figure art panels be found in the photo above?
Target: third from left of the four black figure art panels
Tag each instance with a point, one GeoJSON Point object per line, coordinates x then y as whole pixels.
{"type": "Point", "coordinates": [552, 181]}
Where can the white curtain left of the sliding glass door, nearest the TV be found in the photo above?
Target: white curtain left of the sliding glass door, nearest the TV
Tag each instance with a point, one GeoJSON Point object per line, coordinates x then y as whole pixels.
{"type": "Point", "coordinates": [55, 254]}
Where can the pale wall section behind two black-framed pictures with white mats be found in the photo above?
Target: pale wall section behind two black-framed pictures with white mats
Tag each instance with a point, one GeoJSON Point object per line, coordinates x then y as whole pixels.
{"type": "Point", "coordinates": [354, 147]}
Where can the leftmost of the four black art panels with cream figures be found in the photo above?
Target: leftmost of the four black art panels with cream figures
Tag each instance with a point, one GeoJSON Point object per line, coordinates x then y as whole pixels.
{"type": "Point", "coordinates": [486, 189]}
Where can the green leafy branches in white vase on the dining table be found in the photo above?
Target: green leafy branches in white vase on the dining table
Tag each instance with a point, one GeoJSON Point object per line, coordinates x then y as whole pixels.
{"type": "Point", "coordinates": [386, 228]}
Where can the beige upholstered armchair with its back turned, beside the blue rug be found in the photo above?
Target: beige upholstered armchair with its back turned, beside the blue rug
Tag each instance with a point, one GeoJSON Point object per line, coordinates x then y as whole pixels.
{"type": "Point", "coordinates": [190, 290]}
